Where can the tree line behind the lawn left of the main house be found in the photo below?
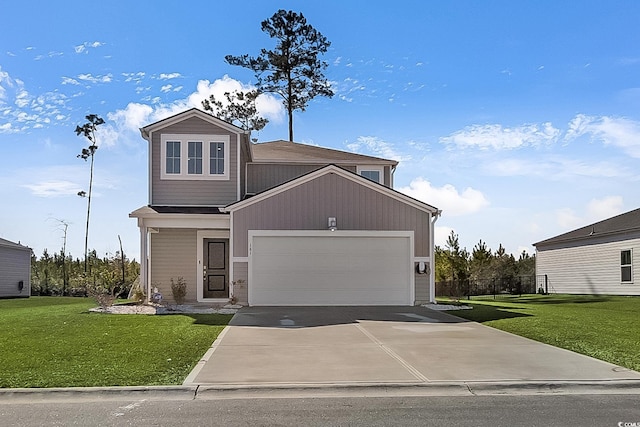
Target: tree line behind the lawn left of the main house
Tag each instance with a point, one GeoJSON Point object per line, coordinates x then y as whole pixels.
{"type": "Point", "coordinates": [62, 275]}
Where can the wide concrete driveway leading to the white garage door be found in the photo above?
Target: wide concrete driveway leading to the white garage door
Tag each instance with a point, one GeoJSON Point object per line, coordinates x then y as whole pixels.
{"type": "Point", "coordinates": [298, 346]}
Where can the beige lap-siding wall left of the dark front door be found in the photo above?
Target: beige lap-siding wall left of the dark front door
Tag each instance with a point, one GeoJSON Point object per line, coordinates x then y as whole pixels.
{"type": "Point", "coordinates": [174, 254]}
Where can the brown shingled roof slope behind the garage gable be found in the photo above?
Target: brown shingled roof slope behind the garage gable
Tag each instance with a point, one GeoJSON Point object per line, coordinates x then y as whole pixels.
{"type": "Point", "coordinates": [285, 151]}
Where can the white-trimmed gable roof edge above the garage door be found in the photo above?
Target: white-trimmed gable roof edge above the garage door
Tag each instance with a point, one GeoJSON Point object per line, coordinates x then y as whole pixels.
{"type": "Point", "coordinates": [343, 173]}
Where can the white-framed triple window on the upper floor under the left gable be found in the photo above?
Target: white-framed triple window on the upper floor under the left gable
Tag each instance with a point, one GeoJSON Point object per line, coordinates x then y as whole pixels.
{"type": "Point", "coordinates": [196, 157]}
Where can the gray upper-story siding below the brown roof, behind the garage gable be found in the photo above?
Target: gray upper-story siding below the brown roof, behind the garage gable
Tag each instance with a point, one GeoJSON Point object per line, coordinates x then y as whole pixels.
{"type": "Point", "coordinates": [261, 177]}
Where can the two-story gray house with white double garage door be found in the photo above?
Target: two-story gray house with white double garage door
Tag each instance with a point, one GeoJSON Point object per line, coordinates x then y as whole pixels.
{"type": "Point", "coordinates": [278, 223]}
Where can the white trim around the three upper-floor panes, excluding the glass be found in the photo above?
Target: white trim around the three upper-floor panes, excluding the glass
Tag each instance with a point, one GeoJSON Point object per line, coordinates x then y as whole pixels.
{"type": "Point", "coordinates": [184, 156]}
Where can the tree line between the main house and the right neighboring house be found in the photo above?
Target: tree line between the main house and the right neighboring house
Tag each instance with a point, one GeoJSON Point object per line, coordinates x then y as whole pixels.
{"type": "Point", "coordinates": [456, 264]}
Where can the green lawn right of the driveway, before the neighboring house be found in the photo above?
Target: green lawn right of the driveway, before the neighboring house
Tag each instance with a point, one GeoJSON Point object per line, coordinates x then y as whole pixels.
{"type": "Point", "coordinates": [604, 327]}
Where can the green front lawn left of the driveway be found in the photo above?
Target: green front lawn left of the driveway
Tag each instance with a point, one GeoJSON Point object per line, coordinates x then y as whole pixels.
{"type": "Point", "coordinates": [57, 342]}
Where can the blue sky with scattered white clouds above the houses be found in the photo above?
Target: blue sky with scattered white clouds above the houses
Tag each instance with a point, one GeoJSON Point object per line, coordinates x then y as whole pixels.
{"type": "Point", "coordinates": [520, 120]}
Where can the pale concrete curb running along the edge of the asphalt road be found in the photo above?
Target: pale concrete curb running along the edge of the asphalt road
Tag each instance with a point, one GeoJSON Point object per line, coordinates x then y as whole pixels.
{"type": "Point", "coordinates": [237, 391]}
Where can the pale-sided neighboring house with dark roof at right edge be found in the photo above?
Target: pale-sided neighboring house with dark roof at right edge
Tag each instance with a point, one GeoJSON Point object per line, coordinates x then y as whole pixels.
{"type": "Point", "coordinates": [596, 259]}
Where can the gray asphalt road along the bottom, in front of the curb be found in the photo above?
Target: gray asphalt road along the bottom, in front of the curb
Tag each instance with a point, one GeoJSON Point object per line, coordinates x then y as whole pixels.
{"type": "Point", "coordinates": [520, 410]}
